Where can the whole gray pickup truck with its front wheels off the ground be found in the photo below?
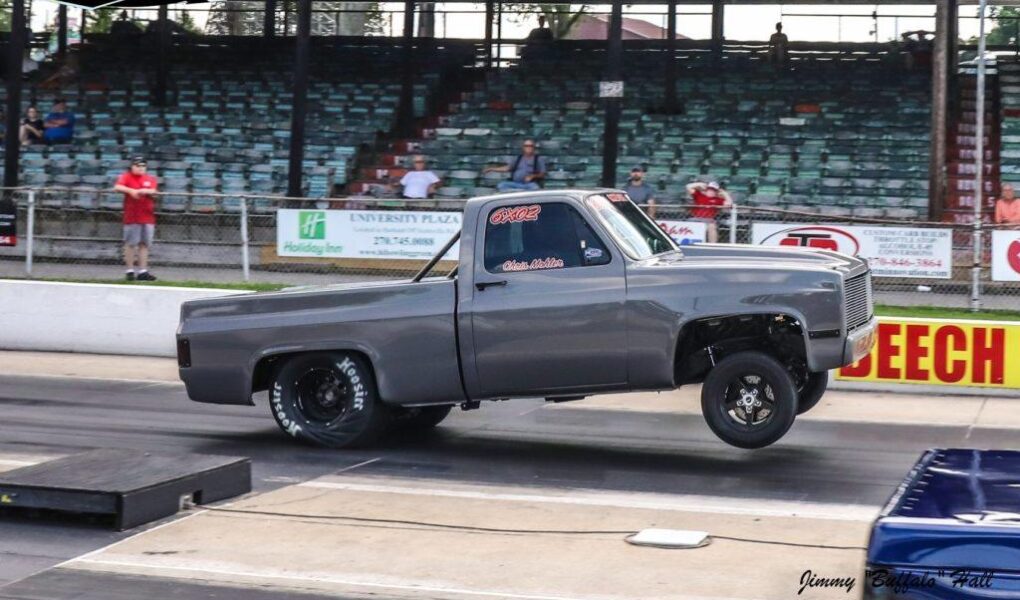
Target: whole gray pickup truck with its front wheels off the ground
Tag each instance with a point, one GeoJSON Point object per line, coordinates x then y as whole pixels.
{"type": "Point", "coordinates": [558, 295]}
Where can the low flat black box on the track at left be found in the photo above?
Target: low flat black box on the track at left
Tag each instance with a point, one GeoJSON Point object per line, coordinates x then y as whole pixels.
{"type": "Point", "coordinates": [130, 487]}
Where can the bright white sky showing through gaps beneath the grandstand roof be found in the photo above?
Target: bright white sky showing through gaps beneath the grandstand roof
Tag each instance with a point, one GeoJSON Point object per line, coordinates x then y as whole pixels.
{"type": "Point", "coordinates": [801, 23]}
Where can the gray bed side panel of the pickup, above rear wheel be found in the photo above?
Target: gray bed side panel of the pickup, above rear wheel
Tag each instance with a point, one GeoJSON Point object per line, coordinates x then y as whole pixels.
{"type": "Point", "coordinates": [406, 330]}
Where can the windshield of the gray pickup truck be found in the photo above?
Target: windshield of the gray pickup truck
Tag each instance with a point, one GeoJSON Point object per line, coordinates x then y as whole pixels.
{"type": "Point", "coordinates": [638, 235]}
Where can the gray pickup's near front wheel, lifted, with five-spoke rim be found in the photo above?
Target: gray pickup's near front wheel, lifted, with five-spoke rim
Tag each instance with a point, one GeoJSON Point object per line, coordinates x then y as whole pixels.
{"type": "Point", "coordinates": [749, 401]}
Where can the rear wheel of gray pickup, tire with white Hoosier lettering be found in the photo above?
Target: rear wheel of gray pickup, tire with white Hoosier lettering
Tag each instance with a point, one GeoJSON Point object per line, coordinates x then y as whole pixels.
{"type": "Point", "coordinates": [329, 399]}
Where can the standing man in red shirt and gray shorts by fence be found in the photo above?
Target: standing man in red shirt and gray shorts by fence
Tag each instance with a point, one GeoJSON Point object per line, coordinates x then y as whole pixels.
{"type": "Point", "coordinates": [140, 219]}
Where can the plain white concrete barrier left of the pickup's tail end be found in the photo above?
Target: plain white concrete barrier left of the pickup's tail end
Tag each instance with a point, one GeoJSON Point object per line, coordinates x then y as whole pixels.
{"type": "Point", "coordinates": [93, 318]}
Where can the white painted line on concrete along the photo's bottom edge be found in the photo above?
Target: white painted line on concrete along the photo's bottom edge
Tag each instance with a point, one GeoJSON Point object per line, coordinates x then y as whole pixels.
{"type": "Point", "coordinates": [203, 569]}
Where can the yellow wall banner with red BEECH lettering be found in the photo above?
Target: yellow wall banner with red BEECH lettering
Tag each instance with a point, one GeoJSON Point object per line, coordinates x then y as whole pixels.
{"type": "Point", "coordinates": [942, 353]}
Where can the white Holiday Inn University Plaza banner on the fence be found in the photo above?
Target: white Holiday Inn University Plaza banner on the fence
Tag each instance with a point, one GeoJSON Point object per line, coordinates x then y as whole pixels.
{"type": "Point", "coordinates": [365, 234]}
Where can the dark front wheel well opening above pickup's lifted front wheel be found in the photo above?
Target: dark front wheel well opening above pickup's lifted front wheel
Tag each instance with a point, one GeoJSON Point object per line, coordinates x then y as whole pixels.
{"type": "Point", "coordinates": [705, 342]}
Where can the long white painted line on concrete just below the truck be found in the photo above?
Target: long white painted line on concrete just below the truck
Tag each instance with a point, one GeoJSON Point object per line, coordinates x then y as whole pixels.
{"type": "Point", "coordinates": [681, 504]}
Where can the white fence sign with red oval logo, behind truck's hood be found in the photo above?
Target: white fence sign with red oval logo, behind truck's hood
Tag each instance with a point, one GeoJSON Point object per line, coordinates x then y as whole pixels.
{"type": "Point", "coordinates": [891, 252]}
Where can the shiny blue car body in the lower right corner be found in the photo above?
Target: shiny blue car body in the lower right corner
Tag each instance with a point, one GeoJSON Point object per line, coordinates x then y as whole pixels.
{"type": "Point", "coordinates": [951, 531]}
